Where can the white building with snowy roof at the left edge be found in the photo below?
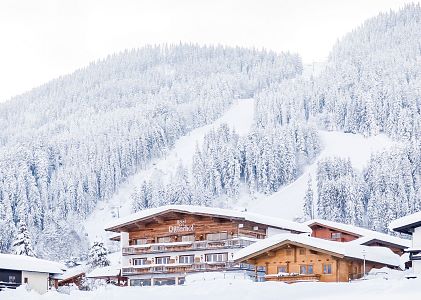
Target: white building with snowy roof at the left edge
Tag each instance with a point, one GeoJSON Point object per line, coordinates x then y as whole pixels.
{"type": "Point", "coordinates": [39, 274]}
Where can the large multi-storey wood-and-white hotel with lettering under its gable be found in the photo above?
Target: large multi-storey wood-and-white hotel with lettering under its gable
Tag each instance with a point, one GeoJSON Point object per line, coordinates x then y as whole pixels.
{"type": "Point", "coordinates": [161, 245]}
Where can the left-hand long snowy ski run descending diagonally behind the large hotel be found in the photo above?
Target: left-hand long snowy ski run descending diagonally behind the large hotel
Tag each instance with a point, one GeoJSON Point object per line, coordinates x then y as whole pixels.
{"type": "Point", "coordinates": [239, 117]}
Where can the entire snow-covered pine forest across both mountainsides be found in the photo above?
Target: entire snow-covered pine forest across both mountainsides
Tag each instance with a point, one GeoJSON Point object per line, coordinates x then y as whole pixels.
{"type": "Point", "coordinates": [72, 142]}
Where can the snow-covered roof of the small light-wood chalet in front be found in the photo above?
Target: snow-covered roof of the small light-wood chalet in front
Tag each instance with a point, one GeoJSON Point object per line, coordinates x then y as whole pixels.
{"type": "Point", "coordinates": [374, 254]}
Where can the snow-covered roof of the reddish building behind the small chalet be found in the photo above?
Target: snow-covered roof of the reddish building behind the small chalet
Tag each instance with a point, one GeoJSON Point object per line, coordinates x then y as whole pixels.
{"type": "Point", "coordinates": [365, 235]}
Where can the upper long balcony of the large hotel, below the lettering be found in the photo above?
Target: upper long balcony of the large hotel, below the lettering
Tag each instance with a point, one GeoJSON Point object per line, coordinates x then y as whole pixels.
{"type": "Point", "coordinates": [186, 246]}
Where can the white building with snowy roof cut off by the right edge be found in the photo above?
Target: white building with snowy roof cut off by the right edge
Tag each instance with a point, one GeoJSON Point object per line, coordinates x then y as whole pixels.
{"type": "Point", "coordinates": [411, 225]}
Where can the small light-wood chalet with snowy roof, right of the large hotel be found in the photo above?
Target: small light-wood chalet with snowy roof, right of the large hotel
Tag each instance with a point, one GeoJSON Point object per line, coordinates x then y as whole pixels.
{"type": "Point", "coordinates": [293, 258]}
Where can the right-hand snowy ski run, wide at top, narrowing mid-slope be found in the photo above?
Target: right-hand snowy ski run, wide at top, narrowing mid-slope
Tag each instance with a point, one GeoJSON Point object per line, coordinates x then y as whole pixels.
{"type": "Point", "coordinates": [288, 201]}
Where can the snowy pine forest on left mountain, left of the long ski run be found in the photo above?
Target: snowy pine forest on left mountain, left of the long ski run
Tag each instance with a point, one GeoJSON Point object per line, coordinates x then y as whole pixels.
{"type": "Point", "coordinates": [69, 144]}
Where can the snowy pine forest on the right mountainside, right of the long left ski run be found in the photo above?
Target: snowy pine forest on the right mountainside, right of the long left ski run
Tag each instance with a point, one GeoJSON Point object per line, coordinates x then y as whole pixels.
{"type": "Point", "coordinates": [371, 85]}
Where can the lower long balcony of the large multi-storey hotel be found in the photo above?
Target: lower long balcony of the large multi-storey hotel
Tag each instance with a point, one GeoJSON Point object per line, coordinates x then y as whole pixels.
{"type": "Point", "coordinates": [185, 268]}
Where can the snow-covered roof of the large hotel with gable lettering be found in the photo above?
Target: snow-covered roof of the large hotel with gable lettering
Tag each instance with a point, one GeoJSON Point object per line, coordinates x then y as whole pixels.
{"type": "Point", "coordinates": [213, 211]}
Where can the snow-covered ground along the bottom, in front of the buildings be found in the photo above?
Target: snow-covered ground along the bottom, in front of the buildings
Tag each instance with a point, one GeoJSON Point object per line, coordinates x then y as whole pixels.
{"type": "Point", "coordinates": [224, 289]}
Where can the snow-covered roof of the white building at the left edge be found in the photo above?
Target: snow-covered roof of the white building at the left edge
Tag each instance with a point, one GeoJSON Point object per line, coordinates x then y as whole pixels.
{"type": "Point", "coordinates": [28, 263]}
